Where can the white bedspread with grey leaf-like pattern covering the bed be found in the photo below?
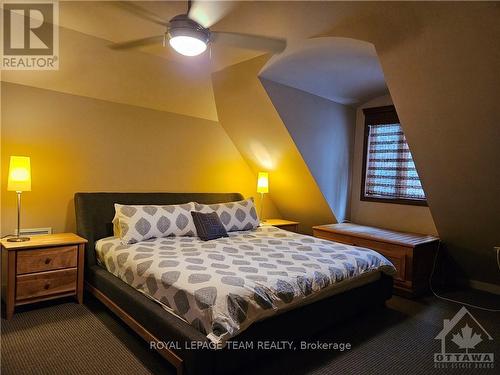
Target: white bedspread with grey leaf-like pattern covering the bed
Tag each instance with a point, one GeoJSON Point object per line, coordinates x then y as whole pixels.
{"type": "Point", "coordinates": [222, 286]}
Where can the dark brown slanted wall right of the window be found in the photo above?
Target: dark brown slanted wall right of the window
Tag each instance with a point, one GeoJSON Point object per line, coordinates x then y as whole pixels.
{"type": "Point", "coordinates": [441, 62]}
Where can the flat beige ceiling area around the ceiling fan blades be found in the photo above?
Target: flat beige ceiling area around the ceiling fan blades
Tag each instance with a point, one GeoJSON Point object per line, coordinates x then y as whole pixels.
{"type": "Point", "coordinates": [292, 20]}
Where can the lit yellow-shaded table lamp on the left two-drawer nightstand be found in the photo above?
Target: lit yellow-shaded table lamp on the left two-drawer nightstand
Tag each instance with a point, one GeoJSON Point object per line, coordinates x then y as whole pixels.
{"type": "Point", "coordinates": [19, 181]}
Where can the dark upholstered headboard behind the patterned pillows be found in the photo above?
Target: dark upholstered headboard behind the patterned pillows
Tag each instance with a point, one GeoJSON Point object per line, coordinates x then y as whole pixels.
{"type": "Point", "coordinates": [95, 211]}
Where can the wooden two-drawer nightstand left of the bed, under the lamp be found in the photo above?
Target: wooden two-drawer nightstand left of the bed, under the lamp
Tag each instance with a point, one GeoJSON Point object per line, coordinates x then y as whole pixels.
{"type": "Point", "coordinates": [43, 268]}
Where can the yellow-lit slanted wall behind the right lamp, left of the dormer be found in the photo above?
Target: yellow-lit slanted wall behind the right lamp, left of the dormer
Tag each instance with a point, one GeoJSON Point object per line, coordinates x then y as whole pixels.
{"type": "Point", "coordinates": [253, 124]}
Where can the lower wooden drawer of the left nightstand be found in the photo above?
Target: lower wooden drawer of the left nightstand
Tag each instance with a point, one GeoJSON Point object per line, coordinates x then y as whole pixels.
{"type": "Point", "coordinates": [46, 283]}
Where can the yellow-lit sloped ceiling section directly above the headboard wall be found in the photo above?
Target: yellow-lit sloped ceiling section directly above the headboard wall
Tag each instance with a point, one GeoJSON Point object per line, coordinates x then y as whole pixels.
{"type": "Point", "coordinates": [88, 68]}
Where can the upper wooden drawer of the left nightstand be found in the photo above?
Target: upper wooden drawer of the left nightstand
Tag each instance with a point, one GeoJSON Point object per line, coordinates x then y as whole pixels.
{"type": "Point", "coordinates": [30, 261]}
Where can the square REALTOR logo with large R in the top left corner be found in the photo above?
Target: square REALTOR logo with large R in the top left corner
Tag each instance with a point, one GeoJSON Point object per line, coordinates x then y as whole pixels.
{"type": "Point", "coordinates": [30, 35]}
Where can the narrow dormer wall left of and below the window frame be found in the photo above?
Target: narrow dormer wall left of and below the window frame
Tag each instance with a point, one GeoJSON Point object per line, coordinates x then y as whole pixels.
{"type": "Point", "coordinates": [408, 218]}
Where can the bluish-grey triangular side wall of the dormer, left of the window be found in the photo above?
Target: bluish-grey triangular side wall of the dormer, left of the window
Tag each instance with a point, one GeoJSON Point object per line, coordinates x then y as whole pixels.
{"type": "Point", "coordinates": [323, 132]}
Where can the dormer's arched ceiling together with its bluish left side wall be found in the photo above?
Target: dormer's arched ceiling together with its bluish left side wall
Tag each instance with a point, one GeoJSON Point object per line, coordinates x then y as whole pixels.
{"type": "Point", "coordinates": [312, 85]}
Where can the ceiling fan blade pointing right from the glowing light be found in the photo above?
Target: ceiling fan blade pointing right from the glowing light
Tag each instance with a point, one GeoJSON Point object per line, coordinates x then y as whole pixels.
{"type": "Point", "coordinates": [256, 42]}
